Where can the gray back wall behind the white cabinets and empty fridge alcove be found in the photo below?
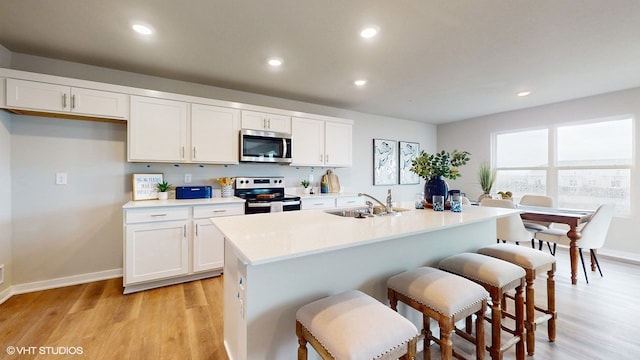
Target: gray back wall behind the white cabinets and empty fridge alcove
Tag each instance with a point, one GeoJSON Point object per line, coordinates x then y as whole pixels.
{"type": "Point", "coordinates": [75, 229]}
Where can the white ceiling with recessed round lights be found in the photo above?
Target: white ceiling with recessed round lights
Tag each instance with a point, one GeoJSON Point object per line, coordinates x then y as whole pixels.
{"type": "Point", "coordinates": [434, 60]}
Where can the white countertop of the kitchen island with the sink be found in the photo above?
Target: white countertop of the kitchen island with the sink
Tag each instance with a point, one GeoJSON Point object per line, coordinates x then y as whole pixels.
{"type": "Point", "coordinates": [264, 238]}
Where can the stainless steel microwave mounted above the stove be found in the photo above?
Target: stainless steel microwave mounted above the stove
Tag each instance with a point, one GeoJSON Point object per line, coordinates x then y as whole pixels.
{"type": "Point", "coordinates": [265, 146]}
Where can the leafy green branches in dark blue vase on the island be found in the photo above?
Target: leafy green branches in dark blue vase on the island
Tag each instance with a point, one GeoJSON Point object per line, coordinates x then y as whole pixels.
{"type": "Point", "coordinates": [433, 168]}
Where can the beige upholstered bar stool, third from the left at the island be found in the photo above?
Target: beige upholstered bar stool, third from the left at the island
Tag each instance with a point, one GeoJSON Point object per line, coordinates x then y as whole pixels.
{"type": "Point", "coordinates": [497, 277]}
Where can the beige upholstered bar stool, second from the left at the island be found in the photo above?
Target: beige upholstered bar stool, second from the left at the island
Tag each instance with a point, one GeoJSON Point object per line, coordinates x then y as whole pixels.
{"type": "Point", "coordinates": [445, 297]}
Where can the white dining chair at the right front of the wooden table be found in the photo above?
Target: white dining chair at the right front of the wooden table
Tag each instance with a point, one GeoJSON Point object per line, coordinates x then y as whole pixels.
{"type": "Point", "coordinates": [594, 234]}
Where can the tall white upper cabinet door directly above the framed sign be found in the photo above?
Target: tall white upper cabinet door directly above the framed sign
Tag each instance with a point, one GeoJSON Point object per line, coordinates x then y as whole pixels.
{"type": "Point", "coordinates": [157, 130]}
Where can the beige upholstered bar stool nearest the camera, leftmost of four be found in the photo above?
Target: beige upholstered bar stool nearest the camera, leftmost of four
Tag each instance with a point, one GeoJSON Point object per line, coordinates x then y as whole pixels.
{"type": "Point", "coordinates": [353, 325]}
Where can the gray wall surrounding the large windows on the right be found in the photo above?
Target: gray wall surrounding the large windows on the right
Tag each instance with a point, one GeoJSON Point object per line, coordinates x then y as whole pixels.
{"type": "Point", "coordinates": [474, 136]}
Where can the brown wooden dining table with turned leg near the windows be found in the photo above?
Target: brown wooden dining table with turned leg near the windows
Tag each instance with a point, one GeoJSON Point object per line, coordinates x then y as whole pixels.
{"type": "Point", "coordinates": [571, 217]}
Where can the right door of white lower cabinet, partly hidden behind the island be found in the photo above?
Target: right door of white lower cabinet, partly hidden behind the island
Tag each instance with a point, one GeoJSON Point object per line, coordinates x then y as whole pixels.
{"type": "Point", "coordinates": [208, 246]}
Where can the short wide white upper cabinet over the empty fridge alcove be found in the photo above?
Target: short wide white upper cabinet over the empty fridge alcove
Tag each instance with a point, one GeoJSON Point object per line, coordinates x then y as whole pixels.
{"type": "Point", "coordinates": [46, 97]}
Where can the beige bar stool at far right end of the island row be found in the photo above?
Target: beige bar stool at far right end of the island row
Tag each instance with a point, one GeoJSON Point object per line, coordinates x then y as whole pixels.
{"type": "Point", "coordinates": [533, 262]}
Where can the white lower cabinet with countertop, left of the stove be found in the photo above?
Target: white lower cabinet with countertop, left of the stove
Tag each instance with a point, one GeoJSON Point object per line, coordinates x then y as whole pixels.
{"type": "Point", "coordinates": [172, 244]}
